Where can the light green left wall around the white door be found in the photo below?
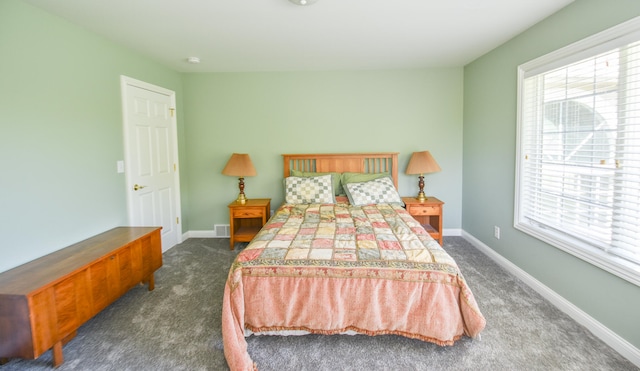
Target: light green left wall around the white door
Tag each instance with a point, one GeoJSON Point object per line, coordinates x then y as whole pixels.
{"type": "Point", "coordinates": [61, 131]}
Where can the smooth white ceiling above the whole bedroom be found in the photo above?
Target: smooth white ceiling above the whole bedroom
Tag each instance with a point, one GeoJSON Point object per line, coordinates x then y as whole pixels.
{"type": "Point", "coordinates": [276, 35]}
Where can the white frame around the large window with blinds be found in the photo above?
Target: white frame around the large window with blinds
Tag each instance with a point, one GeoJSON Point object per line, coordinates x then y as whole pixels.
{"type": "Point", "coordinates": [589, 47]}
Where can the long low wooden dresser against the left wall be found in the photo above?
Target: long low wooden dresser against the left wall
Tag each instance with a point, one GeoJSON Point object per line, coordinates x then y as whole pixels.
{"type": "Point", "coordinates": [43, 302]}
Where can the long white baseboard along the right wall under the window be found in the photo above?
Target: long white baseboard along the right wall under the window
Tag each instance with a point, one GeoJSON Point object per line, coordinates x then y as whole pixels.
{"type": "Point", "coordinates": [612, 339]}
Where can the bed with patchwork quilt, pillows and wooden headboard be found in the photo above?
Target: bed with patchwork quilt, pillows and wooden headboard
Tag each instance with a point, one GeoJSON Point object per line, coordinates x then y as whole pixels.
{"type": "Point", "coordinates": [326, 263]}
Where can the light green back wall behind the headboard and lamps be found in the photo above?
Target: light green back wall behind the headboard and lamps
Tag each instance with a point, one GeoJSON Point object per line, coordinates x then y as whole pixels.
{"type": "Point", "coordinates": [269, 114]}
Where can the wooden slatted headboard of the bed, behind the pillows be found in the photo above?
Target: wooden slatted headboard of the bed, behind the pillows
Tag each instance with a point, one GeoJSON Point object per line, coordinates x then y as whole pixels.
{"type": "Point", "coordinates": [377, 162]}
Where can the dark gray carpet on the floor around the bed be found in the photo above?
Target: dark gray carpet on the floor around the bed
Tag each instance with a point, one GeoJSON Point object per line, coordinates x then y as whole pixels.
{"type": "Point", "coordinates": [177, 327]}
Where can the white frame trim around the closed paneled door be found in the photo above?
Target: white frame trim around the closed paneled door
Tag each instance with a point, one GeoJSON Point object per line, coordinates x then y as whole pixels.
{"type": "Point", "coordinates": [125, 82]}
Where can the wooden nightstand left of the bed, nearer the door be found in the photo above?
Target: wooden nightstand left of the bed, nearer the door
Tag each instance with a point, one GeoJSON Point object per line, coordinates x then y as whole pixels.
{"type": "Point", "coordinates": [245, 220]}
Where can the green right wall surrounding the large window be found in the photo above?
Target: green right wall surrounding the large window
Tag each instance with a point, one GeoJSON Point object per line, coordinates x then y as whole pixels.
{"type": "Point", "coordinates": [489, 166]}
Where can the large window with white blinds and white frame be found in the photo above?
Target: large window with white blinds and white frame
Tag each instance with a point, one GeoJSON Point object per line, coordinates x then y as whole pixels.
{"type": "Point", "coordinates": [578, 166]}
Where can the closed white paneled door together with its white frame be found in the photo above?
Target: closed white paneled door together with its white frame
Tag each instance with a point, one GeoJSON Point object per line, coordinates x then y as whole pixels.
{"type": "Point", "coordinates": [151, 158]}
